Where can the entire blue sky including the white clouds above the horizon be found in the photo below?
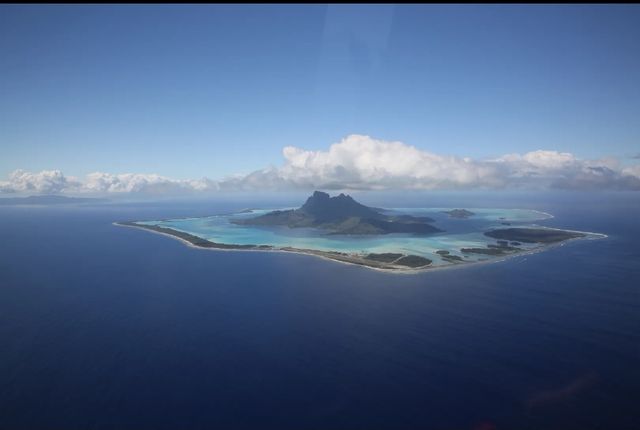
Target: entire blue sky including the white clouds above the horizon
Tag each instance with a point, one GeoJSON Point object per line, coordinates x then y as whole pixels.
{"type": "Point", "coordinates": [204, 97]}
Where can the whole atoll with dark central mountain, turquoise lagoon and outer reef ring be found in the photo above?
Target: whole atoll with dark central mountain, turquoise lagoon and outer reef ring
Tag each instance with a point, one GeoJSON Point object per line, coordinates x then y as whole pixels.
{"type": "Point", "coordinates": [341, 229]}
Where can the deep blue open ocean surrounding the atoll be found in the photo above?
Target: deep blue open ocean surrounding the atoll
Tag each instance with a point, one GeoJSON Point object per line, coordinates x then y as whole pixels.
{"type": "Point", "coordinates": [106, 327]}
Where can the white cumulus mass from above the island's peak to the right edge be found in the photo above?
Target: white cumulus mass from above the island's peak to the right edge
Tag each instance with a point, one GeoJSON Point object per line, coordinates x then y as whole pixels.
{"type": "Point", "coordinates": [362, 162]}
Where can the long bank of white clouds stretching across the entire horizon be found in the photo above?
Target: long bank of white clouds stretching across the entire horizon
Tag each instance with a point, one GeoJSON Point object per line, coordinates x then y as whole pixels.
{"type": "Point", "coordinates": [361, 163]}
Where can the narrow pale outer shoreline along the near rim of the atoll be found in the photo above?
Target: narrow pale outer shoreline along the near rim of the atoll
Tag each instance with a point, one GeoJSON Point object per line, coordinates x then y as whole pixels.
{"type": "Point", "coordinates": [351, 259]}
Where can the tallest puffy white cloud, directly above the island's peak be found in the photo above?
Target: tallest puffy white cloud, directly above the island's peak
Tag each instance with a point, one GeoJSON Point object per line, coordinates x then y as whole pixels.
{"type": "Point", "coordinates": [361, 162]}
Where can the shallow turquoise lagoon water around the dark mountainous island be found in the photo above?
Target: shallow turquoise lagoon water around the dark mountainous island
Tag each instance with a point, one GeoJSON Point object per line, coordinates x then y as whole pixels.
{"type": "Point", "coordinates": [457, 234]}
